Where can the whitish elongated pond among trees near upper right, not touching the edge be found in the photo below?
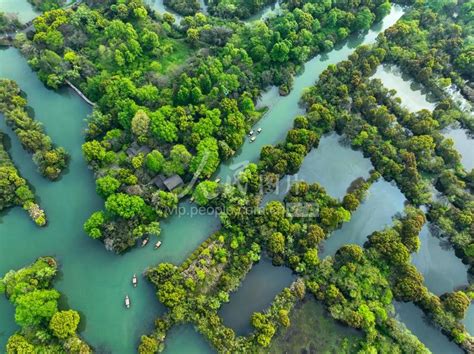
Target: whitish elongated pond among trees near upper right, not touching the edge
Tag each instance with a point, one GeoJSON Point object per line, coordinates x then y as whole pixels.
{"type": "Point", "coordinates": [412, 95]}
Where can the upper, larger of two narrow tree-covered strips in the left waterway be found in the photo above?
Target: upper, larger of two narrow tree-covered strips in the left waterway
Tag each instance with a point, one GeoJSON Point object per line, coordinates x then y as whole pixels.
{"type": "Point", "coordinates": [51, 160]}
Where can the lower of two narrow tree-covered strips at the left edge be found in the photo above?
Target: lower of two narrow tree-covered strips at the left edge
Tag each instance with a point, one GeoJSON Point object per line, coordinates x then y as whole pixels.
{"type": "Point", "coordinates": [14, 190]}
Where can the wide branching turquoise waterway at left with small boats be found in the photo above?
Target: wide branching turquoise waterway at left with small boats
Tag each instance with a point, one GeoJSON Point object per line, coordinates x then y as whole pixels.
{"type": "Point", "coordinates": [93, 280]}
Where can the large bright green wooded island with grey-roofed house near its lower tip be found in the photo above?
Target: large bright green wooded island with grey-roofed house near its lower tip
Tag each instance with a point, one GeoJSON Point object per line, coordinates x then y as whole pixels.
{"type": "Point", "coordinates": [148, 128]}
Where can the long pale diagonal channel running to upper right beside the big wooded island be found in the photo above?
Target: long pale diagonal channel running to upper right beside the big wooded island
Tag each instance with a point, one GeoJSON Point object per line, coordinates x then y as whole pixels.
{"type": "Point", "coordinates": [279, 119]}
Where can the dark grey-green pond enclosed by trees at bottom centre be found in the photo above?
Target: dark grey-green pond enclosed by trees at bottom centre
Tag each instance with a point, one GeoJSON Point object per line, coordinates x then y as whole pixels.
{"type": "Point", "coordinates": [255, 294]}
